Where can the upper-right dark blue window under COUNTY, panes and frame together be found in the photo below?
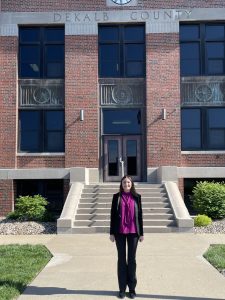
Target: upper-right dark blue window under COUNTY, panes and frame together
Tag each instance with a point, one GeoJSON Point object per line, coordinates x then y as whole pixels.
{"type": "Point", "coordinates": [202, 49]}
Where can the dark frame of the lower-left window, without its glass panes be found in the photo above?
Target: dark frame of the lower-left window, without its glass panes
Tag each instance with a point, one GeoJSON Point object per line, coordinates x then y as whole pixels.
{"type": "Point", "coordinates": [43, 132]}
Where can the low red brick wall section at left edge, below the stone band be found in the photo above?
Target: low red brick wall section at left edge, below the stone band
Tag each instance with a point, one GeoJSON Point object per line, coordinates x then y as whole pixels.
{"type": "Point", "coordinates": [6, 197]}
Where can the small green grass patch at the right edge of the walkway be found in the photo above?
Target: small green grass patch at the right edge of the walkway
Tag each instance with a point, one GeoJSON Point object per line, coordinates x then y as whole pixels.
{"type": "Point", "coordinates": [216, 256]}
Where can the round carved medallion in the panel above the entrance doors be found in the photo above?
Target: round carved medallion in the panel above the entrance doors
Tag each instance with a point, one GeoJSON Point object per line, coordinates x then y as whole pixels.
{"type": "Point", "coordinates": [122, 94]}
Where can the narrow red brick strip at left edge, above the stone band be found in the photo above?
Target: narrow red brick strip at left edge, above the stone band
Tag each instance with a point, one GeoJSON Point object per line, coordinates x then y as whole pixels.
{"type": "Point", "coordinates": [8, 83]}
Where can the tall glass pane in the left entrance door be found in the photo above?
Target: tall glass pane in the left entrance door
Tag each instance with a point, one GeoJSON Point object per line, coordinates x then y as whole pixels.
{"type": "Point", "coordinates": [113, 169]}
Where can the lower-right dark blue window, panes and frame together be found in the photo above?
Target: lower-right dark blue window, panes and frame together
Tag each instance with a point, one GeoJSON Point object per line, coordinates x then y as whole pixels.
{"type": "Point", "coordinates": [203, 128]}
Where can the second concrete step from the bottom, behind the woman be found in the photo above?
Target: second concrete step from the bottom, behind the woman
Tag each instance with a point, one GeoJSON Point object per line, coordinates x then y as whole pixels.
{"type": "Point", "coordinates": [90, 223]}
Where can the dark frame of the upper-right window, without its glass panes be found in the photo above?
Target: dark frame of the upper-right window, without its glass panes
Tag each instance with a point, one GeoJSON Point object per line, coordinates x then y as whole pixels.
{"type": "Point", "coordinates": [202, 41]}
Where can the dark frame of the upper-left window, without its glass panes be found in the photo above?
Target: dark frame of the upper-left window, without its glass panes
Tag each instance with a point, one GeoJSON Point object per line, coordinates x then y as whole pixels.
{"type": "Point", "coordinates": [42, 45]}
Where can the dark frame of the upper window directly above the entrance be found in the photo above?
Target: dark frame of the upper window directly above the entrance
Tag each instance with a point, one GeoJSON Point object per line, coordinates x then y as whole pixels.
{"type": "Point", "coordinates": [122, 43]}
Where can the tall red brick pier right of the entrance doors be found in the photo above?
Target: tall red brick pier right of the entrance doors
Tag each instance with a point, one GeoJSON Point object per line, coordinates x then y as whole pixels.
{"type": "Point", "coordinates": [163, 91]}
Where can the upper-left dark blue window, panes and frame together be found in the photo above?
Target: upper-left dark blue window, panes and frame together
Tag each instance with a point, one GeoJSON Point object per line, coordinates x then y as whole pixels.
{"type": "Point", "coordinates": [41, 52]}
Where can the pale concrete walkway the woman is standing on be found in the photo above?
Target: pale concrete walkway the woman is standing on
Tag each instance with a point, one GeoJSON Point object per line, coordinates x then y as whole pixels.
{"type": "Point", "coordinates": [169, 266]}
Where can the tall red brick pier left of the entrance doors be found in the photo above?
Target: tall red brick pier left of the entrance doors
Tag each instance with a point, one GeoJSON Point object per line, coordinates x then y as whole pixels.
{"type": "Point", "coordinates": [81, 137]}
